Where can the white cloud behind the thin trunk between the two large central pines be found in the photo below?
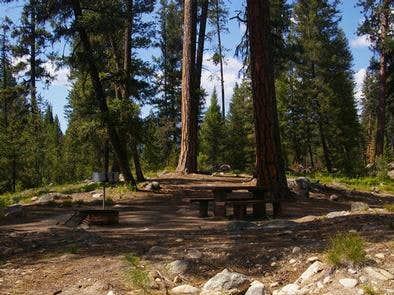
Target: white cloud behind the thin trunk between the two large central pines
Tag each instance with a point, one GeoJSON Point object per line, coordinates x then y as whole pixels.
{"type": "Point", "coordinates": [210, 77]}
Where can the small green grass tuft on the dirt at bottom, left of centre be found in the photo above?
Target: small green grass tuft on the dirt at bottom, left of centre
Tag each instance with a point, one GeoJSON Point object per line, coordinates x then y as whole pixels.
{"type": "Point", "coordinates": [136, 274]}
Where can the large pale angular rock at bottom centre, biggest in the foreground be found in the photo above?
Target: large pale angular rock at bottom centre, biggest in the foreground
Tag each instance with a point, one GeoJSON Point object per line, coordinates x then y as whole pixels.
{"type": "Point", "coordinates": [227, 281]}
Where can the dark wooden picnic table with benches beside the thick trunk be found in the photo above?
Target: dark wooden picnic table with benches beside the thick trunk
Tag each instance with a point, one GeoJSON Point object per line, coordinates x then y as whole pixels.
{"type": "Point", "coordinates": [221, 199]}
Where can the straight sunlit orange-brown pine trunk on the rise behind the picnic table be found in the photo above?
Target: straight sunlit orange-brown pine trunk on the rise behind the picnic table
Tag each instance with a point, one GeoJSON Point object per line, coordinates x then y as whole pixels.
{"type": "Point", "coordinates": [187, 162]}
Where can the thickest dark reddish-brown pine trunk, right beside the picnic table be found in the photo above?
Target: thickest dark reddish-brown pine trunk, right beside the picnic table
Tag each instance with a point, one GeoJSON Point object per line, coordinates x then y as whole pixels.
{"type": "Point", "coordinates": [269, 161]}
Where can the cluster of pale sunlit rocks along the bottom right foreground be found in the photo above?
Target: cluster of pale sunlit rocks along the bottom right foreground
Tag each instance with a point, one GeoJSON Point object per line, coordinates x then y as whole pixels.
{"type": "Point", "coordinates": [318, 278]}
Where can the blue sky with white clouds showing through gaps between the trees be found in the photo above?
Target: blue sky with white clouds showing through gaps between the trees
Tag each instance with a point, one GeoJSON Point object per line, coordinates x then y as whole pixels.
{"type": "Point", "coordinates": [56, 94]}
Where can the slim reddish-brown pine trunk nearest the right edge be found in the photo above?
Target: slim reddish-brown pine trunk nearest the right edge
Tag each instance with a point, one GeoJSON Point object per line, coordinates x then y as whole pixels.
{"type": "Point", "coordinates": [381, 112]}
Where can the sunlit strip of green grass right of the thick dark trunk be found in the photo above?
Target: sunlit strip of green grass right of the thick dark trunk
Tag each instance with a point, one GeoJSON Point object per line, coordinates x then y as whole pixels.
{"type": "Point", "coordinates": [364, 183]}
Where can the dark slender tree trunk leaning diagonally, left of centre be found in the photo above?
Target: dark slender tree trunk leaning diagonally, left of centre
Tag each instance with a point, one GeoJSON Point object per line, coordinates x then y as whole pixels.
{"type": "Point", "coordinates": [120, 151]}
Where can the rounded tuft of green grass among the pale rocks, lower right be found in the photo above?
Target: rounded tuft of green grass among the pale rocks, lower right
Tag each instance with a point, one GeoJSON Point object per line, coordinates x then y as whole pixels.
{"type": "Point", "coordinates": [344, 249]}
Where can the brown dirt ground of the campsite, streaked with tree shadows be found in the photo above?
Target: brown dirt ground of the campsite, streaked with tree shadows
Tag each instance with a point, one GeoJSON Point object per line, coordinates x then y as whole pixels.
{"type": "Point", "coordinates": [39, 255]}
